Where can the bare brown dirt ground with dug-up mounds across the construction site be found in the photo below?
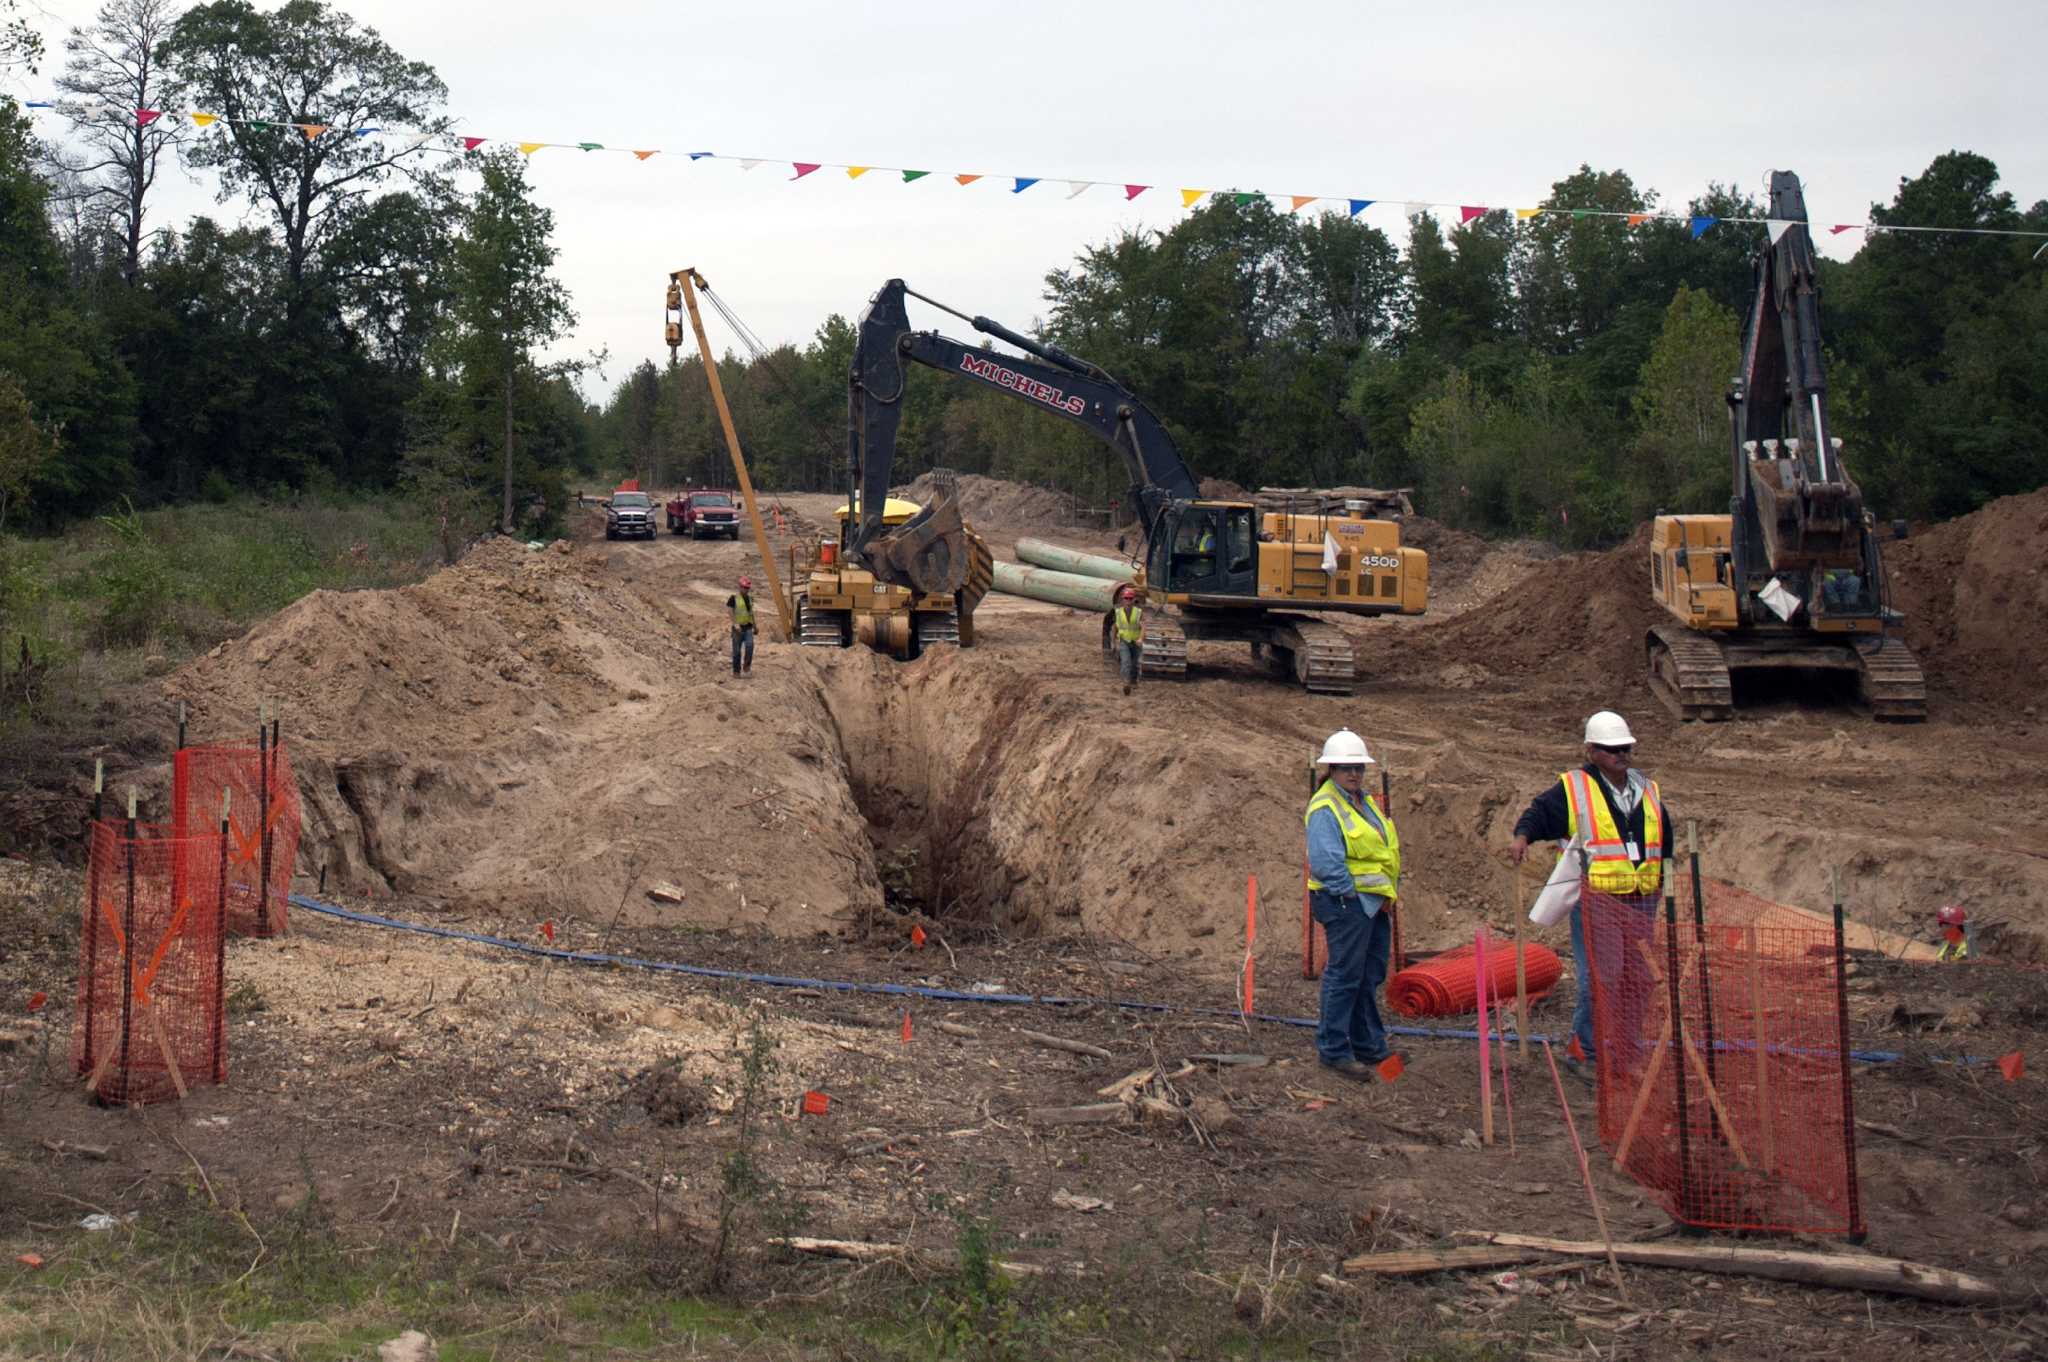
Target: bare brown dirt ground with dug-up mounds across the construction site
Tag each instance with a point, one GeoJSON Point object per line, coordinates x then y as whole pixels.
{"type": "Point", "coordinates": [548, 736]}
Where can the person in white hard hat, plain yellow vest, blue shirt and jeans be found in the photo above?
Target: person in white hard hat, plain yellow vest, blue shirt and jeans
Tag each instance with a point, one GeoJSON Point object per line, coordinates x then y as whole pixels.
{"type": "Point", "coordinates": [1355, 876]}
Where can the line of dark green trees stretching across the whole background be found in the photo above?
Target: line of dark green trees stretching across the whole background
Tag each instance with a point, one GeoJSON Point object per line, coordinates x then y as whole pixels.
{"type": "Point", "coordinates": [376, 314]}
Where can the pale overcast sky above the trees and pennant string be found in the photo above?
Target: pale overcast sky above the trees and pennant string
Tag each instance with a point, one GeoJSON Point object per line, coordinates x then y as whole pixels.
{"type": "Point", "coordinates": [1453, 101]}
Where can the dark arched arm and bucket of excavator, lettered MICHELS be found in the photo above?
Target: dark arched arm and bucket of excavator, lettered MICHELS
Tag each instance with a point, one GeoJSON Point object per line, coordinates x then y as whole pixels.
{"type": "Point", "coordinates": [1052, 382]}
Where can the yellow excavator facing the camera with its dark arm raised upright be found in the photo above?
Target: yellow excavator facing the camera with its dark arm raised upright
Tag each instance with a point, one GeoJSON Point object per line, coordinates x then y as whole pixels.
{"type": "Point", "coordinates": [1791, 577]}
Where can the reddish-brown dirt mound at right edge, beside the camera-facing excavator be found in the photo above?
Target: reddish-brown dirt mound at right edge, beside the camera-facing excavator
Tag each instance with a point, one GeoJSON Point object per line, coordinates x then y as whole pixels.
{"type": "Point", "coordinates": [1975, 597]}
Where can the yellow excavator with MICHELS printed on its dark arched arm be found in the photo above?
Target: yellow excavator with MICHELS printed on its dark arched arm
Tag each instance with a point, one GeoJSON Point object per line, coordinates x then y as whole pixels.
{"type": "Point", "coordinates": [1213, 570]}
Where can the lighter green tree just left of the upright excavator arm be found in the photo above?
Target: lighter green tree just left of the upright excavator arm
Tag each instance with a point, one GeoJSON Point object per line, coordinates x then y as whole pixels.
{"type": "Point", "coordinates": [1682, 407]}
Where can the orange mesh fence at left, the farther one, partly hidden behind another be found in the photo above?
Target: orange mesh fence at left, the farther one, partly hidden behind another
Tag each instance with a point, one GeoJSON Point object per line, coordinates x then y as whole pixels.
{"type": "Point", "coordinates": [263, 822]}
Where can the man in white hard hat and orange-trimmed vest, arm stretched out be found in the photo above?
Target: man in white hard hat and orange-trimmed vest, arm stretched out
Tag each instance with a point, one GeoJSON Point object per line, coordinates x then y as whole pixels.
{"type": "Point", "coordinates": [1627, 837]}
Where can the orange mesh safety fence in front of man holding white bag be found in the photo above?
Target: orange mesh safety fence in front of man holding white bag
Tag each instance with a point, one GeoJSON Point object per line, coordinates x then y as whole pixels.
{"type": "Point", "coordinates": [1719, 1046]}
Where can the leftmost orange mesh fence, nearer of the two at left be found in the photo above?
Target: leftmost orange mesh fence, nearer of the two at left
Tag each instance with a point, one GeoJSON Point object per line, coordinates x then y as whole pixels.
{"type": "Point", "coordinates": [151, 1021]}
